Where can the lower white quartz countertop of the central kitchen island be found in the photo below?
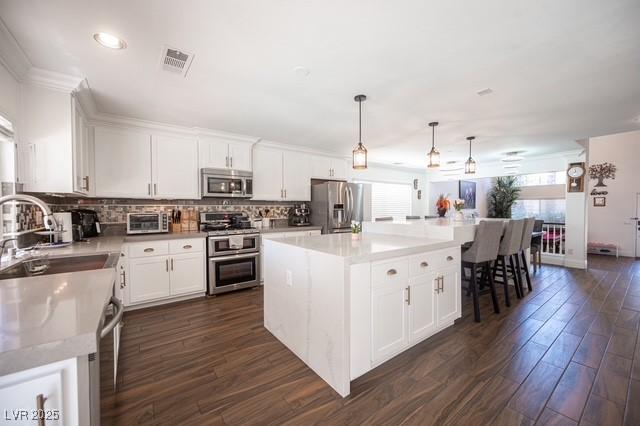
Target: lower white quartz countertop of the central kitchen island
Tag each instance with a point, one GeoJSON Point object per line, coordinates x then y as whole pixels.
{"type": "Point", "coordinates": [366, 247]}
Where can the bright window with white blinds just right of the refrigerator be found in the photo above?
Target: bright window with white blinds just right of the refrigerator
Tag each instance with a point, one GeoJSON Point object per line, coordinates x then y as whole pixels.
{"type": "Point", "coordinates": [390, 199]}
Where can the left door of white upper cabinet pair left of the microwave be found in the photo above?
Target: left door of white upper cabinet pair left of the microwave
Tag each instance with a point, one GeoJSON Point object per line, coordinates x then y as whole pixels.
{"type": "Point", "coordinates": [122, 163]}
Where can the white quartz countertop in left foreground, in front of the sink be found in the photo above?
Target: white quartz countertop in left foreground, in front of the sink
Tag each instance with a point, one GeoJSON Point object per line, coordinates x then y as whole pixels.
{"type": "Point", "coordinates": [51, 317]}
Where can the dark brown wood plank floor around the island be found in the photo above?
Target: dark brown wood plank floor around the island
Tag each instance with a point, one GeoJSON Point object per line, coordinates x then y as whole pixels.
{"type": "Point", "coordinates": [567, 353]}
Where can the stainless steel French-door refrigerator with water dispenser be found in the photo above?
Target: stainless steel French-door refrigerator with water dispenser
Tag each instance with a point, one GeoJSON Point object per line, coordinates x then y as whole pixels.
{"type": "Point", "coordinates": [335, 204]}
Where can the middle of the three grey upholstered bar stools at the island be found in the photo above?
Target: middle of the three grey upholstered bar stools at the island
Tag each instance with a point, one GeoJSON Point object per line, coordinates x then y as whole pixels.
{"type": "Point", "coordinates": [509, 247]}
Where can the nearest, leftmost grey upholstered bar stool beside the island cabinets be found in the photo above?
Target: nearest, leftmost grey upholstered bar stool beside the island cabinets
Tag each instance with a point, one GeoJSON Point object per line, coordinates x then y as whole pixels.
{"type": "Point", "coordinates": [480, 254]}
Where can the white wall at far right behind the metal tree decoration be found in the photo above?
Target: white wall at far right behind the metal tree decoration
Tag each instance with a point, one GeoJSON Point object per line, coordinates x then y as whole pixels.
{"type": "Point", "coordinates": [612, 223]}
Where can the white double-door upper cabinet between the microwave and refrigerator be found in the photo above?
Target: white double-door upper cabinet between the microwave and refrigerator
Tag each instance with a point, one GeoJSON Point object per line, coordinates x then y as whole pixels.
{"type": "Point", "coordinates": [281, 175]}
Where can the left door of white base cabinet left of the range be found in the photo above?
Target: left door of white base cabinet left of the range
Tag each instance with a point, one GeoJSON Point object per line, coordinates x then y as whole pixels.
{"type": "Point", "coordinates": [149, 279]}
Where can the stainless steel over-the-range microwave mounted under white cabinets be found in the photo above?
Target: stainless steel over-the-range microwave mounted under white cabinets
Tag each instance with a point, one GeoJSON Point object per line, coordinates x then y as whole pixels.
{"type": "Point", "coordinates": [226, 183]}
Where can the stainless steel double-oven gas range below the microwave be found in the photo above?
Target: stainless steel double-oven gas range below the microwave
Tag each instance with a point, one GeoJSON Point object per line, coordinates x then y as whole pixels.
{"type": "Point", "coordinates": [233, 252]}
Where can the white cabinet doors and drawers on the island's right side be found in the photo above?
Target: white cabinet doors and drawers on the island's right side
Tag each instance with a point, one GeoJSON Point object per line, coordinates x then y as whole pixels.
{"type": "Point", "coordinates": [407, 309]}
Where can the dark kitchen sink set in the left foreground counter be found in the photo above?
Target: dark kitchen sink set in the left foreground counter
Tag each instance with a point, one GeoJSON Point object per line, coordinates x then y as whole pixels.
{"type": "Point", "coordinates": [58, 265]}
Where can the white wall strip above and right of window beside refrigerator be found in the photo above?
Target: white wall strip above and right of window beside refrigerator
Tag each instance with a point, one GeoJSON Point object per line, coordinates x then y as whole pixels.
{"type": "Point", "coordinates": [378, 173]}
